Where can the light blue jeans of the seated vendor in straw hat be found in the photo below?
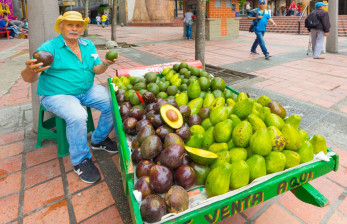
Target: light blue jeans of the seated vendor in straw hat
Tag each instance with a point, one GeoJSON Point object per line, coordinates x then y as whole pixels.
{"type": "Point", "coordinates": [69, 107]}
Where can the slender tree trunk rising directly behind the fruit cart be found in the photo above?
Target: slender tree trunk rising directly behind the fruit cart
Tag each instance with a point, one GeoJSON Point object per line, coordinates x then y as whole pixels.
{"type": "Point", "coordinates": [200, 32]}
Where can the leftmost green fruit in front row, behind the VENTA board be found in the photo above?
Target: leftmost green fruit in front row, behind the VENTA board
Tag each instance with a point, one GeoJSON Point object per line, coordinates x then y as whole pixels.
{"type": "Point", "coordinates": [218, 180]}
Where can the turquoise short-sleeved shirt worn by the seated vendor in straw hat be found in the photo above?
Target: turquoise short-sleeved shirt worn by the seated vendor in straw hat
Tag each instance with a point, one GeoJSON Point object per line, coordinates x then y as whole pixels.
{"type": "Point", "coordinates": [67, 74]}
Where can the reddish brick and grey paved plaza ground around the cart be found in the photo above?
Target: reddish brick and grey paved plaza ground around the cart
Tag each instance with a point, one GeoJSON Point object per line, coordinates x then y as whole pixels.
{"type": "Point", "coordinates": [38, 187]}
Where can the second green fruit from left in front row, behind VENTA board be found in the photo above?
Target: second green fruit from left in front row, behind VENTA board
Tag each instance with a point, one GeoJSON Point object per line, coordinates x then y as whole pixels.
{"type": "Point", "coordinates": [239, 176]}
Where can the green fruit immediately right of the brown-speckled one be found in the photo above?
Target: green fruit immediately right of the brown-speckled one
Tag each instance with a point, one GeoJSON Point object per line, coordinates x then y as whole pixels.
{"type": "Point", "coordinates": [292, 137]}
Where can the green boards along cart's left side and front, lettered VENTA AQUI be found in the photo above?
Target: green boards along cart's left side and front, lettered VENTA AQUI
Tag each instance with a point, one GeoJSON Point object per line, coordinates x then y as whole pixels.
{"type": "Point", "coordinates": [227, 207]}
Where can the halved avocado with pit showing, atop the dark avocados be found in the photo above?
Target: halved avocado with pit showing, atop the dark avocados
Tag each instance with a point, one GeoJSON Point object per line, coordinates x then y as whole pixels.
{"type": "Point", "coordinates": [172, 116]}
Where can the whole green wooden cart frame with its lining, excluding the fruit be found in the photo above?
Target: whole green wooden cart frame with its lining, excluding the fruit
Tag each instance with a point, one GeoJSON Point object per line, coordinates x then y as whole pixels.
{"type": "Point", "coordinates": [295, 180]}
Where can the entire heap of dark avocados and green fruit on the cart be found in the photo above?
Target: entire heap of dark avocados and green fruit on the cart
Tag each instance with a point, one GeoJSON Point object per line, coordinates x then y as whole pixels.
{"type": "Point", "coordinates": [229, 140]}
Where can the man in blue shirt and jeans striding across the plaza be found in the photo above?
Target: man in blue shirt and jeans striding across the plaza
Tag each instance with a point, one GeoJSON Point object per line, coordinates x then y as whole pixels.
{"type": "Point", "coordinates": [260, 16]}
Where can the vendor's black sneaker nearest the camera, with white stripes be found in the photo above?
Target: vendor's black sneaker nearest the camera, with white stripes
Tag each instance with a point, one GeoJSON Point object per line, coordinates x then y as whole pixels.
{"type": "Point", "coordinates": [87, 171]}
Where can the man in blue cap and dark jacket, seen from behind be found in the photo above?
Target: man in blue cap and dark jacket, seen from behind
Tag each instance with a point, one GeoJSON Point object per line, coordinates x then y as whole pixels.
{"type": "Point", "coordinates": [318, 25]}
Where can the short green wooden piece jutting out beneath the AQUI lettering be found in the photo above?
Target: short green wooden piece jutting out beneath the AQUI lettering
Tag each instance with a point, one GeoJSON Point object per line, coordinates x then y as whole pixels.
{"type": "Point", "coordinates": [307, 193]}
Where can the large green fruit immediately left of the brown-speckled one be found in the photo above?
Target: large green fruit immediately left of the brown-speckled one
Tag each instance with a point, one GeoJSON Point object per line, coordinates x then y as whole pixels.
{"type": "Point", "coordinates": [260, 142]}
